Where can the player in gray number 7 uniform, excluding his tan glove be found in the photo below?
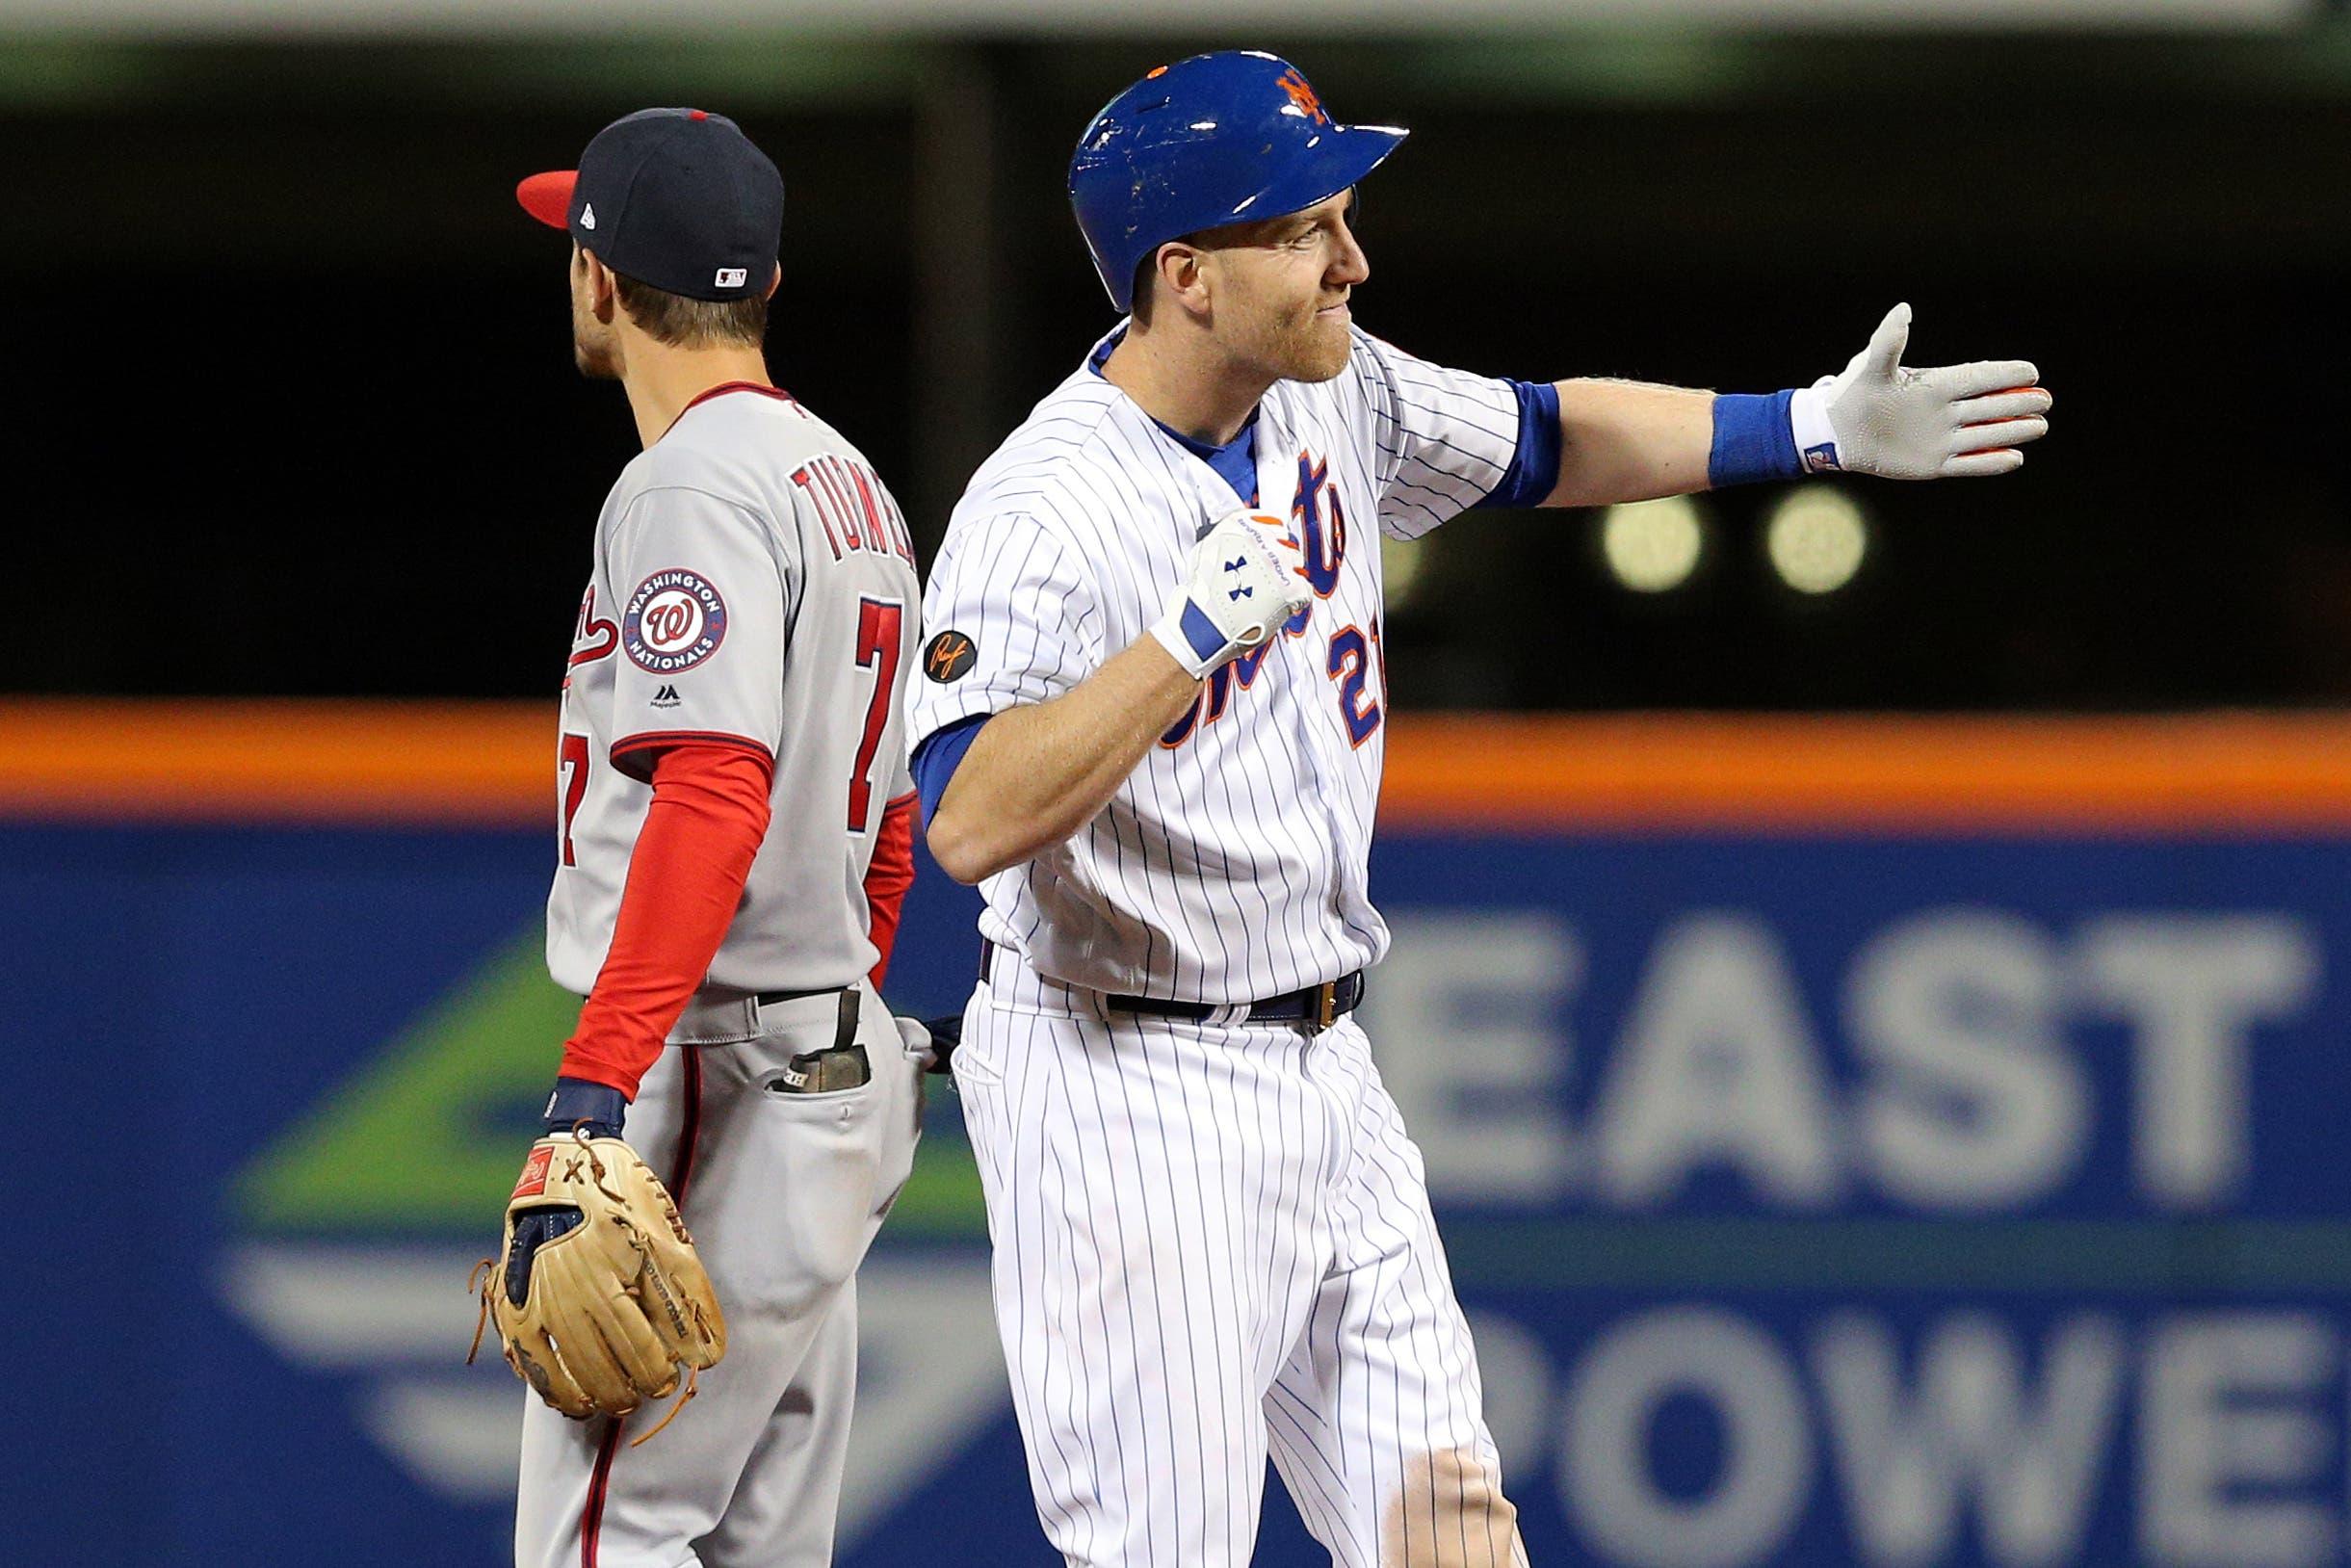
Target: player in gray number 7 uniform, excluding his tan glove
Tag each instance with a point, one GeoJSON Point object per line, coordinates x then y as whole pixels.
{"type": "Point", "coordinates": [735, 843]}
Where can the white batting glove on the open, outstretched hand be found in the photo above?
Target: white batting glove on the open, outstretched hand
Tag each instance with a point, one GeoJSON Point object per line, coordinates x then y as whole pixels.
{"type": "Point", "coordinates": [1955, 422]}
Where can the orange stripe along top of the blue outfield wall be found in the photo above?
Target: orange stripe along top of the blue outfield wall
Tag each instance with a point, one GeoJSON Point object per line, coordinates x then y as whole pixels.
{"type": "Point", "coordinates": [495, 765]}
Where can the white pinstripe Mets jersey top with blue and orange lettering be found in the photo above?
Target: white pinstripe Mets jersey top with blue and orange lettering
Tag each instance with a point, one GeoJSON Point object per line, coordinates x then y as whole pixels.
{"type": "Point", "coordinates": [1233, 864]}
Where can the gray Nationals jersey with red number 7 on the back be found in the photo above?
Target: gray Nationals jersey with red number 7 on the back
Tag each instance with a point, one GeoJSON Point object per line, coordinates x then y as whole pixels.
{"type": "Point", "coordinates": [753, 584]}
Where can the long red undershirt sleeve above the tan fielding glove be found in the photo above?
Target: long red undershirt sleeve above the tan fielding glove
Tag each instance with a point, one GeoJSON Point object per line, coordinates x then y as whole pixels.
{"type": "Point", "coordinates": [685, 883]}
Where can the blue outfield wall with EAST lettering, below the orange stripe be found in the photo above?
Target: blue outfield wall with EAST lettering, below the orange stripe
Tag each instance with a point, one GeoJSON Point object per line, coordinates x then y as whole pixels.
{"type": "Point", "coordinates": [1816, 1200]}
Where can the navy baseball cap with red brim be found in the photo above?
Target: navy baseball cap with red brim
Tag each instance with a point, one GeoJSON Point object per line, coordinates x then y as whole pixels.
{"type": "Point", "coordinates": [676, 199]}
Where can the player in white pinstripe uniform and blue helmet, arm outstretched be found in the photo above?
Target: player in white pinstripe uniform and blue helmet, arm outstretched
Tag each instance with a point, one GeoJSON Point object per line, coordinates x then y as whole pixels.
{"type": "Point", "coordinates": [1153, 725]}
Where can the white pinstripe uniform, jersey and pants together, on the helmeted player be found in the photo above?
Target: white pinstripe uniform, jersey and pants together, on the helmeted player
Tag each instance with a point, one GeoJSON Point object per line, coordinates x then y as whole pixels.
{"type": "Point", "coordinates": [1212, 1240]}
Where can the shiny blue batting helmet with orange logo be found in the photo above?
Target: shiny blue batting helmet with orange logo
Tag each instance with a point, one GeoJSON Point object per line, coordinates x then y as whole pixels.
{"type": "Point", "coordinates": [1212, 140]}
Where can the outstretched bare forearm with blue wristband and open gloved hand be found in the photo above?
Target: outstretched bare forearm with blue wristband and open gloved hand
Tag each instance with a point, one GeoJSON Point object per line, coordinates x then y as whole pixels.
{"type": "Point", "coordinates": [1626, 441]}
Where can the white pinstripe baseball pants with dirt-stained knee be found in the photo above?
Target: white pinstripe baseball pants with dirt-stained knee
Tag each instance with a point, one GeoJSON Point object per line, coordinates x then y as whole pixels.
{"type": "Point", "coordinates": [1214, 1247]}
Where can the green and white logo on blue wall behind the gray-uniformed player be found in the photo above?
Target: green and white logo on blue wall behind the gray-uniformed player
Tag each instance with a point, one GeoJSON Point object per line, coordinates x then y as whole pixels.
{"type": "Point", "coordinates": [359, 1226]}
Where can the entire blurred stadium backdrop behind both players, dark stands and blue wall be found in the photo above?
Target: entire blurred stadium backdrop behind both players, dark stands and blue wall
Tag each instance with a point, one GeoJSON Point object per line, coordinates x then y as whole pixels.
{"type": "Point", "coordinates": [1861, 1144]}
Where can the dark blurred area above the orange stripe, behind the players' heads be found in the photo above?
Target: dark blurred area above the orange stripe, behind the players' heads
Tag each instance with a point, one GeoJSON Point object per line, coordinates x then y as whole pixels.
{"type": "Point", "coordinates": [293, 408]}
